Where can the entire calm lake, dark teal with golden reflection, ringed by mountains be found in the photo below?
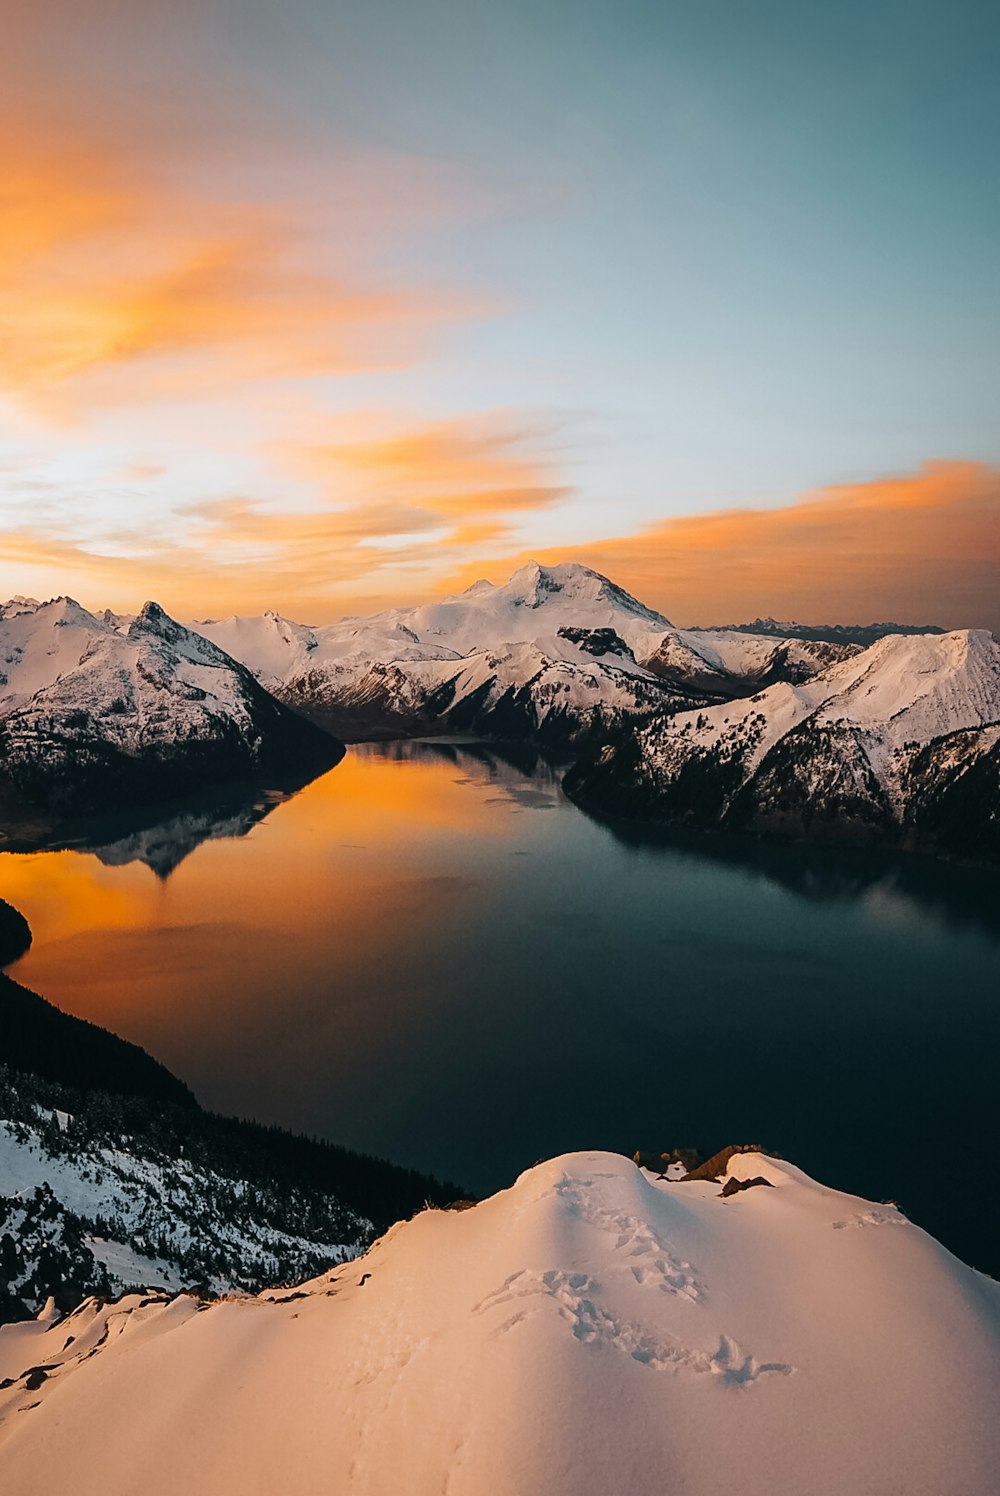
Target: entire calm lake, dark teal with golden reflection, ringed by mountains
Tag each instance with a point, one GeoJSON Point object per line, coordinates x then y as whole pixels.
{"type": "Point", "coordinates": [429, 954]}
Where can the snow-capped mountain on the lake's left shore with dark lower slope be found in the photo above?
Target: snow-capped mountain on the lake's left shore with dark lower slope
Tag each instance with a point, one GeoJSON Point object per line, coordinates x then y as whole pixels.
{"type": "Point", "coordinates": [97, 705]}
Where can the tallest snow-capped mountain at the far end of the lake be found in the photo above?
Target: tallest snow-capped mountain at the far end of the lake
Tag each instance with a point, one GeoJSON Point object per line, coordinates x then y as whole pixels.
{"type": "Point", "coordinates": [559, 654]}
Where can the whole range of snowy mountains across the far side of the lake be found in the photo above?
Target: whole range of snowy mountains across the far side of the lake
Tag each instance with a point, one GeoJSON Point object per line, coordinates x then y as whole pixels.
{"type": "Point", "coordinates": [853, 734]}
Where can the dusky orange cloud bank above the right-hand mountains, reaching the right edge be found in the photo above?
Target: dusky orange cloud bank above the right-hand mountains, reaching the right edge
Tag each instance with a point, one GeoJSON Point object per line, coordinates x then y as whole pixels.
{"type": "Point", "coordinates": [920, 548]}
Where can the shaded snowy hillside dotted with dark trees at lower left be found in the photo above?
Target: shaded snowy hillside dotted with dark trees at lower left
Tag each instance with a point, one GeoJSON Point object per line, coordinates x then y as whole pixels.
{"type": "Point", "coordinates": [121, 1193]}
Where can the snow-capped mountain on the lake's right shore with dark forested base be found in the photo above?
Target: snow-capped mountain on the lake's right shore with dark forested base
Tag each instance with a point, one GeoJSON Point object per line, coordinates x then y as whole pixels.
{"type": "Point", "coordinates": [897, 743]}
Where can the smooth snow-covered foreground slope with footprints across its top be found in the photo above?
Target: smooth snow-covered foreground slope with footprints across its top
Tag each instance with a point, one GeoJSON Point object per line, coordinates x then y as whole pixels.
{"type": "Point", "coordinates": [588, 1332]}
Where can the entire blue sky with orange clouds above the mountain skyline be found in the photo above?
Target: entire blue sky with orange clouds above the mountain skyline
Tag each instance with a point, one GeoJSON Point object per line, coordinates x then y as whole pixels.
{"type": "Point", "coordinates": [327, 306]}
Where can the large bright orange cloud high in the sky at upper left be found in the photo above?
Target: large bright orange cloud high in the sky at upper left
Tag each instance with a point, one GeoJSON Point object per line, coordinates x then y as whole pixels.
{"type": "Point", "coordinates": [121, 283]}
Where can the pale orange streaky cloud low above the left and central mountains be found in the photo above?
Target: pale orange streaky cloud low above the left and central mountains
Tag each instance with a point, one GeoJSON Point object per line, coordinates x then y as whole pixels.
{"type": "Point", "coordinates": [399, 509]}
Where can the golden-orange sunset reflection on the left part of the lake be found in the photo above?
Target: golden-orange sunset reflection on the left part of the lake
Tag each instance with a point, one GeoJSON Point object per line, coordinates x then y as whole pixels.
{"type": "Point", "coordinates": [282, 927]}
